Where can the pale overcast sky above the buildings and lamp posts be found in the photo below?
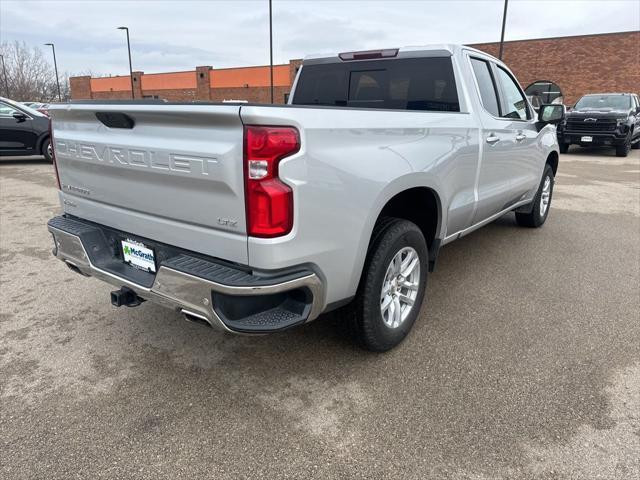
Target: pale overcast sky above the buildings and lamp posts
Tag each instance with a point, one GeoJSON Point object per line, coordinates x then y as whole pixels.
{"type": "Point", "coordinates": [177, 35]}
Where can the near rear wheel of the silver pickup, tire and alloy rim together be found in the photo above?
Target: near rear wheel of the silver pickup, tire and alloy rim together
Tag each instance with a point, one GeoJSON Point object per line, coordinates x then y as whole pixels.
{"type": "Point", "coordinates": [392, 287]}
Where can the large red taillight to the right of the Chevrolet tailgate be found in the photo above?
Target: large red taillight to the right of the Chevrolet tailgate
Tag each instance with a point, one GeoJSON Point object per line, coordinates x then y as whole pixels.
{"type": "Point", "coordinates": [269, 201]}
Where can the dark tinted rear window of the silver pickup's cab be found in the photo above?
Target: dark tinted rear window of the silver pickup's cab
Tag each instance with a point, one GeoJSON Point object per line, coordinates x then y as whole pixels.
{"type": "Point", "coordinates": [400, 84]}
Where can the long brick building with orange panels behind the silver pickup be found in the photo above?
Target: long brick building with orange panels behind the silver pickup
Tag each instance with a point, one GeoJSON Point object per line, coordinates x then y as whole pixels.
{"type": "Point", "coordinates": [573, 65]}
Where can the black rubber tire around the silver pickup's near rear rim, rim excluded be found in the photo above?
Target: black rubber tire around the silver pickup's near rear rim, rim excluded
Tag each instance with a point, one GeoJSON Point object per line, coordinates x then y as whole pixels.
{"type": "Point", "coordinates": [364, 317]}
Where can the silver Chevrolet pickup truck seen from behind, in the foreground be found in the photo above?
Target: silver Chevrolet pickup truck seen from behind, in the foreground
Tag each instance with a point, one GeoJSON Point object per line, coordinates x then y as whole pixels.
{"type": "Point", "coordinates": [257, 218]}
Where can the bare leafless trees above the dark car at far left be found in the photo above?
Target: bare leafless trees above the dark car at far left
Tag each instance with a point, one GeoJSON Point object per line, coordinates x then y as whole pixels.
{"type": "Point", "coordinates": [30, 76]}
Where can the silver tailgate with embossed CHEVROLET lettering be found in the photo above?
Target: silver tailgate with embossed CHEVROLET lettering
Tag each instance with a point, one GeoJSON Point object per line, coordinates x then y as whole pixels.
{"type": "Point", "coordinates": [172, 173]}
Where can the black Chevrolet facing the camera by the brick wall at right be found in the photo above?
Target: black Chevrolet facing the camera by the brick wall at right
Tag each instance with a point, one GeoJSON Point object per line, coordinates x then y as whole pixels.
{"type": "Point", "coordinates": [603, 119]}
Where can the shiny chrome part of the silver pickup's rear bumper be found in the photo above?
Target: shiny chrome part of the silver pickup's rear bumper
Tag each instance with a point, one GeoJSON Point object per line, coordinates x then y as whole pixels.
{"type": "Point", "coordinates": [189, 294]}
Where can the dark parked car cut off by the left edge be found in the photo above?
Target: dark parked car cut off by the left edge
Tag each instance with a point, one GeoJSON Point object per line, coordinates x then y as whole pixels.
{"type": "Point", "coordinates": [23, 131]}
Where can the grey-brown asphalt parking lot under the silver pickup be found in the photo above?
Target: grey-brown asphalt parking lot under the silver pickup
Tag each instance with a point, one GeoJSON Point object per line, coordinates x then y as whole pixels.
{"type": "Point", "coordinates": [525, 362]}
